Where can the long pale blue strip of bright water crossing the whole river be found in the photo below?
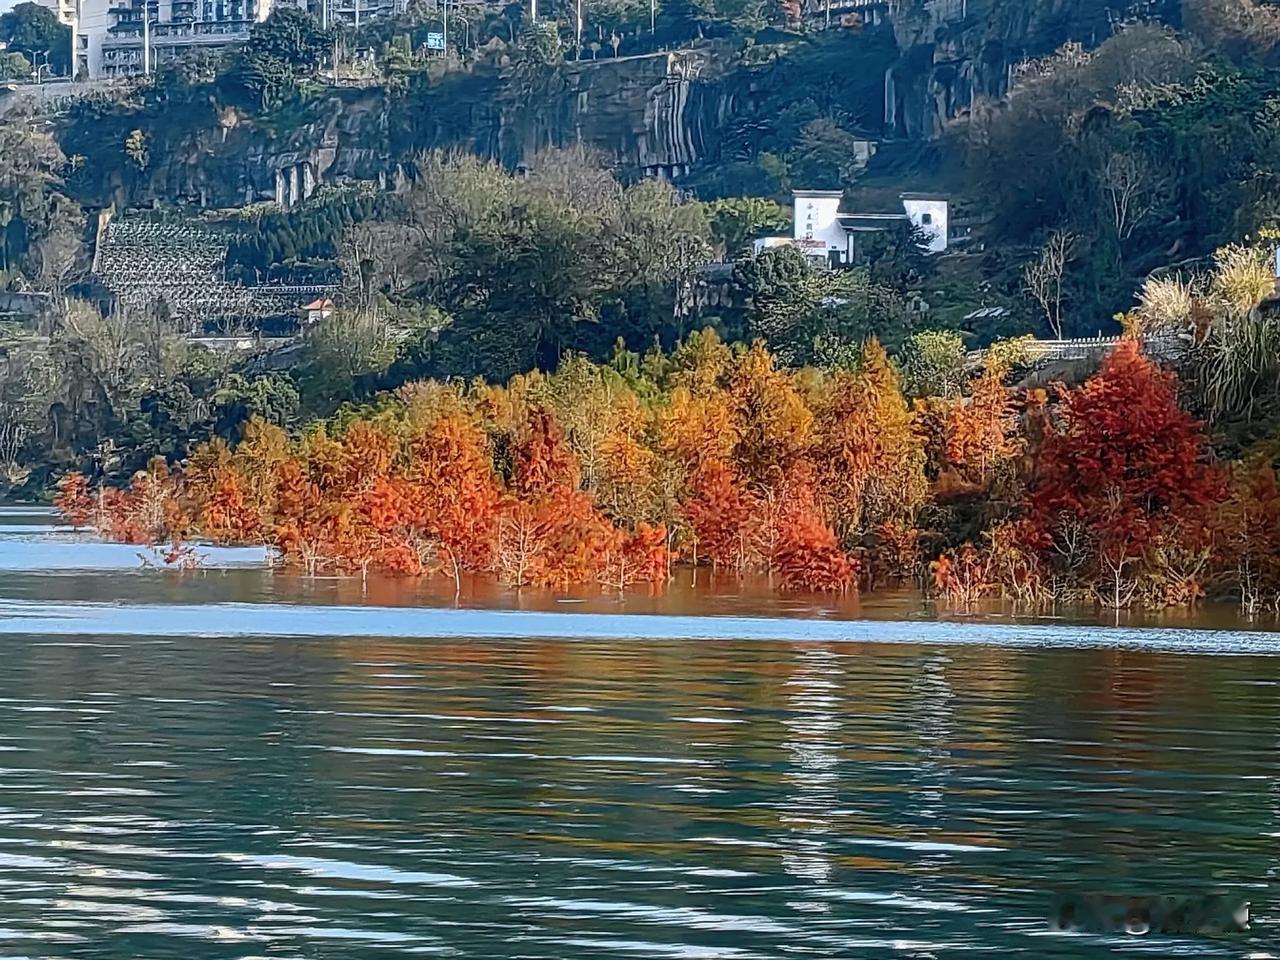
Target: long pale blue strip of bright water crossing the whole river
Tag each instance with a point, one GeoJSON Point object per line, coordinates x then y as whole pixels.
{"type": "Point", "coordinates": [277, 620]}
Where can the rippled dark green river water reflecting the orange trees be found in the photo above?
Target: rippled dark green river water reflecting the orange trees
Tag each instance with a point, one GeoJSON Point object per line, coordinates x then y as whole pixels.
{"type": "Point", "coordinates": [239, 764]}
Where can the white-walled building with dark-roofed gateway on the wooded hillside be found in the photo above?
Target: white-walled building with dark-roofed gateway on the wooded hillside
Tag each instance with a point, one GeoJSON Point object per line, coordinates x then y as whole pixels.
{"type": "Point", "coordinates": [822, 231]}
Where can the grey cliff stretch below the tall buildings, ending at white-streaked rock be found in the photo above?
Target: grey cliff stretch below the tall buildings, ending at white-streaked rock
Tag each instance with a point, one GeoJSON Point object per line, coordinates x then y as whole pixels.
{"type": "Point", "coordinates": [653, 116]}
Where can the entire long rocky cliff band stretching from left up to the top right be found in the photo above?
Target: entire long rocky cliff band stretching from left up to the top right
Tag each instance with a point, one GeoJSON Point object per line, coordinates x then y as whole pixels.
{"type": "Point", "coordinates": [665, 115]}
